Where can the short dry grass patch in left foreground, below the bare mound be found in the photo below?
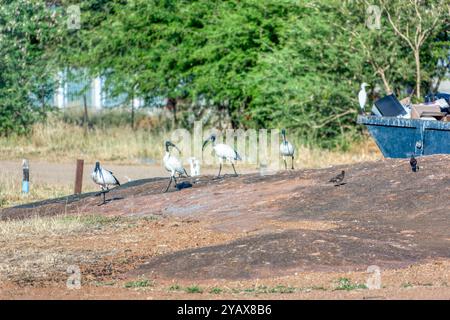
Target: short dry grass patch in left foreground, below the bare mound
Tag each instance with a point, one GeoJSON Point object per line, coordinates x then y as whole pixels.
{"type": "Point", "coordinates": [33, 248]}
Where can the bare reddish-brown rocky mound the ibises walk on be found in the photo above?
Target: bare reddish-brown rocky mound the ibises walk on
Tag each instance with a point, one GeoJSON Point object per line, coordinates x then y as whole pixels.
{"type": "Point", "coordinates": [292, 221]}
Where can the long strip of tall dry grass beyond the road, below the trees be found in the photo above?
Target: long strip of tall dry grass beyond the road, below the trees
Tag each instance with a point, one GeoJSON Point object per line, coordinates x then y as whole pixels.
{"type": "Point", "coordinates": [57, 141]}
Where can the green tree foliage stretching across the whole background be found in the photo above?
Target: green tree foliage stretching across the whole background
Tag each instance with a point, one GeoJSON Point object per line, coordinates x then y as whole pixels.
{"type": "Point", "coordinates": [241, 63]}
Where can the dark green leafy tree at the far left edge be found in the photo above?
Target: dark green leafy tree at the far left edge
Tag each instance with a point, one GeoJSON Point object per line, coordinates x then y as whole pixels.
{"type": "Point", "coordinates": [26, 77]}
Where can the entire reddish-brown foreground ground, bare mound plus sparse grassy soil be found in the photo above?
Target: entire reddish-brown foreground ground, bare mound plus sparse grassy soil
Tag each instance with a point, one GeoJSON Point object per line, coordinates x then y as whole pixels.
{"type": "Point", "coordinates": [289, 235]}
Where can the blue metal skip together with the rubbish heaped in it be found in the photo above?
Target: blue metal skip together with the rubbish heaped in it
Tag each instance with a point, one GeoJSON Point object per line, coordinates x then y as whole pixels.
{"type": "Point", "coordinates": [402, 129]}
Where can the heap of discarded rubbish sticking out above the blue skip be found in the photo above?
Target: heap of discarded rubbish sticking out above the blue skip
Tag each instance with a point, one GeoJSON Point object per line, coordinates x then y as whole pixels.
{"type": "Point", "coordinates": [435, 107]}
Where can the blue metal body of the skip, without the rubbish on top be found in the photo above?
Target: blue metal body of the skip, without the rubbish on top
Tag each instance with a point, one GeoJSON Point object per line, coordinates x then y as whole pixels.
{"type": "Point", "coordinates": [400, 138]}
